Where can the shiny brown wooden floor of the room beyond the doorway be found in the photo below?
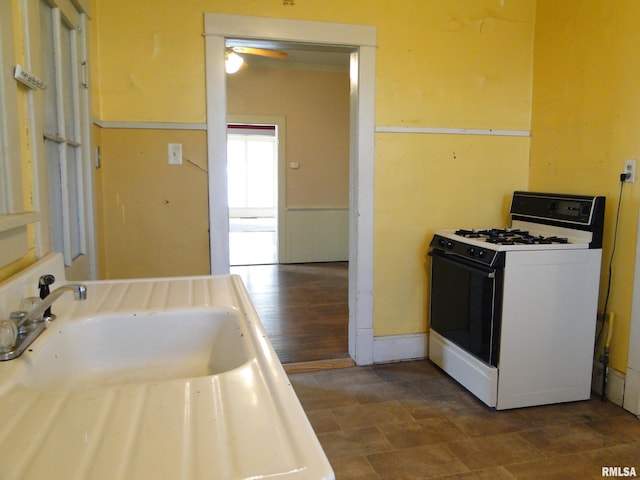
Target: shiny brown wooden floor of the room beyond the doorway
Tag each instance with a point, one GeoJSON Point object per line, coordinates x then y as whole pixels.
{"type": "Point", "coordinates": [303, 307]}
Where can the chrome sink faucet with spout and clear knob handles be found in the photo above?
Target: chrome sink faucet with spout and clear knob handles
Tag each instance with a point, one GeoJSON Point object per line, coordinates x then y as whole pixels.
{"type": "Point", "coordinates": [28, 325]}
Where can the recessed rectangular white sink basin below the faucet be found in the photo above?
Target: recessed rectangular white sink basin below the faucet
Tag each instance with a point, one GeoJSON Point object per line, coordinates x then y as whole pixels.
{"type": "Point", "coordinates": [136, 347]}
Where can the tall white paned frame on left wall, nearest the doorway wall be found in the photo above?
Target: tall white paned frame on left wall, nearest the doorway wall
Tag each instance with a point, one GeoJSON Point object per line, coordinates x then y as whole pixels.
{"type": "Point", "coordinates": [62, 43]}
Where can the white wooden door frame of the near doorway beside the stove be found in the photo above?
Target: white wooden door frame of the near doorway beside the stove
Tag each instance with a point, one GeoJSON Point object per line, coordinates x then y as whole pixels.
{"type": "Point", "coordinates": [362, 39]}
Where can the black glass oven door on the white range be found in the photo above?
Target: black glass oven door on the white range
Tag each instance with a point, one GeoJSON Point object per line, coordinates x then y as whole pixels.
{"type": "Point", "coordinates": [465, 304]}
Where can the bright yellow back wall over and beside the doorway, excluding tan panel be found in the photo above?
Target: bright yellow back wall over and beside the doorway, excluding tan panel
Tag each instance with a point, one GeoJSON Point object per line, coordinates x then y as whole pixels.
{"type": "Point", "coordinates": [453, 64]}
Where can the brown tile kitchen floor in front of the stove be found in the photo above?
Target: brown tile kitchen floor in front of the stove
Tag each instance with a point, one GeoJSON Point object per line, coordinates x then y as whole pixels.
{"type": "Point", "coordinates": [410, 421]}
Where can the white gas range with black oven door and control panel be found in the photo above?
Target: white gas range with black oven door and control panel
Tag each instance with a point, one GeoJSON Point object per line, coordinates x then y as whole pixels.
{"type": "Point", "coordinates": [513, 311]}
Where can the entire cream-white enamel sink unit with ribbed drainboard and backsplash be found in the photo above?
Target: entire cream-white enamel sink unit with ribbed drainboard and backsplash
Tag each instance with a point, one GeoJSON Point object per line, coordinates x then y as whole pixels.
{"type": "Point", "coordinates": [148, 379]}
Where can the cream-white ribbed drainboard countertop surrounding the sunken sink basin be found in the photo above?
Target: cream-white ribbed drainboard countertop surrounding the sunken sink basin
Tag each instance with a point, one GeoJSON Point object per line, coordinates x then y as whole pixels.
{"type": "Point", "coordinates": [243, 423]}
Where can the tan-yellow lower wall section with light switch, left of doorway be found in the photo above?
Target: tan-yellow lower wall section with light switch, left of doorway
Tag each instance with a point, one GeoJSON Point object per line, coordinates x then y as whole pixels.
{"type": "Point", "coordinates": [155, 216]}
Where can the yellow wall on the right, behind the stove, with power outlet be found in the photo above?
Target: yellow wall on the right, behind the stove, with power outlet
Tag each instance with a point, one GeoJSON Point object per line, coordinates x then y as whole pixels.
{"type": "Point", "coordinates": [586, 118]}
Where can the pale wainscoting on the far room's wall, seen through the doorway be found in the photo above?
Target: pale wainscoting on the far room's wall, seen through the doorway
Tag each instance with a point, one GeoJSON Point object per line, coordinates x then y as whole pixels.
{"type": "Point", "coordinates": [315, 235]}
